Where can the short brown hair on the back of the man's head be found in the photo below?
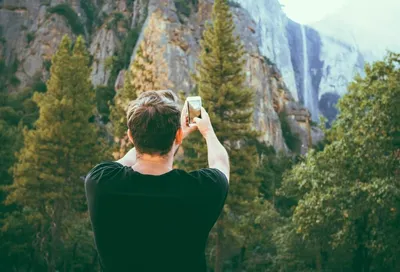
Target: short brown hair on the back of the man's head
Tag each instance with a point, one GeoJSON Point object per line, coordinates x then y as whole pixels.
{"type": "Point", "coordinates": [154, 118]}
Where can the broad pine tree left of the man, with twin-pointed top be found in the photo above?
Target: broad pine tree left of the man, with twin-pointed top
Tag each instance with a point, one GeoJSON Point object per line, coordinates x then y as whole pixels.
{"type": "Point", "coordinates": [57, 153]}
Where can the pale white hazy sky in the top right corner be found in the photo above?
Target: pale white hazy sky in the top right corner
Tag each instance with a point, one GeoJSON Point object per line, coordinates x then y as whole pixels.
{"type": "Point", "coordinates": [372, 23]}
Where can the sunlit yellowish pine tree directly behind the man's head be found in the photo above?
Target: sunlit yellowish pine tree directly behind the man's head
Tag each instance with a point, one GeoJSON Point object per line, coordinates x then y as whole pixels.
{"type": "Point", "coordinates": [145, 74]}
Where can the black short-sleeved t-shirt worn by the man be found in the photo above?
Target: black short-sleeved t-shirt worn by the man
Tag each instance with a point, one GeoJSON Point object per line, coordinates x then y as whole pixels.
{"type": "Point", "coordinates": [153, 223]}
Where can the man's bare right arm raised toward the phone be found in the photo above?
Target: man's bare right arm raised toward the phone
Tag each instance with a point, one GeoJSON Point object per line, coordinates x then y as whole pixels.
{"type": "Point", "coordinates": [217, 155]}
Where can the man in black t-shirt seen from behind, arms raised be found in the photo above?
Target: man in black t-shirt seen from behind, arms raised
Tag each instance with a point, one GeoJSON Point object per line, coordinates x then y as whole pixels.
{"type": "Point", "coordinates": [146, 215]}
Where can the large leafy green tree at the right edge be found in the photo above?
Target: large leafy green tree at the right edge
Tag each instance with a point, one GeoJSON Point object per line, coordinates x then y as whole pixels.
{"type": "Point", "coordinates": [349, 193]}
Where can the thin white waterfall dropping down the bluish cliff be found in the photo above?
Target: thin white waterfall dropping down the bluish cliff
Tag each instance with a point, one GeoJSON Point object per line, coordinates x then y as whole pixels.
{"type": "Point", "coordinates": [307, 87]}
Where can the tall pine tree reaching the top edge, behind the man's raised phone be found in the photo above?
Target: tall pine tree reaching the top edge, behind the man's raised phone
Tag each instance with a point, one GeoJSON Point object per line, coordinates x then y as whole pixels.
{"type": "Point", "coordinates": [221, 84]}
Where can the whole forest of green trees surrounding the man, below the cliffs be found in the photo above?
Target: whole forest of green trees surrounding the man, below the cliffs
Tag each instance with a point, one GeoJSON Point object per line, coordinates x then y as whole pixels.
{"type": "Point", "coordinates": [336, 208]}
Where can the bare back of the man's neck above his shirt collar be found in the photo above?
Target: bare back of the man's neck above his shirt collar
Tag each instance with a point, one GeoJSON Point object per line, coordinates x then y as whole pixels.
{"type": "Point", "coordinates": [153, 165]}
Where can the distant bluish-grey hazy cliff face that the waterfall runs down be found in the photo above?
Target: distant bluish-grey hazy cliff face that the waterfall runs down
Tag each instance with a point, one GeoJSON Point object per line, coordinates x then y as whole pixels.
{"type": "Point", "coordinates": [316, 68]}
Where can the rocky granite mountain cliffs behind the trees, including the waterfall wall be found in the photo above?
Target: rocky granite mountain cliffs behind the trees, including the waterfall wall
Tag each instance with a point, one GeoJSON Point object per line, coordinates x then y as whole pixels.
{"type": "Point", "coordinates": [288, 65]}
